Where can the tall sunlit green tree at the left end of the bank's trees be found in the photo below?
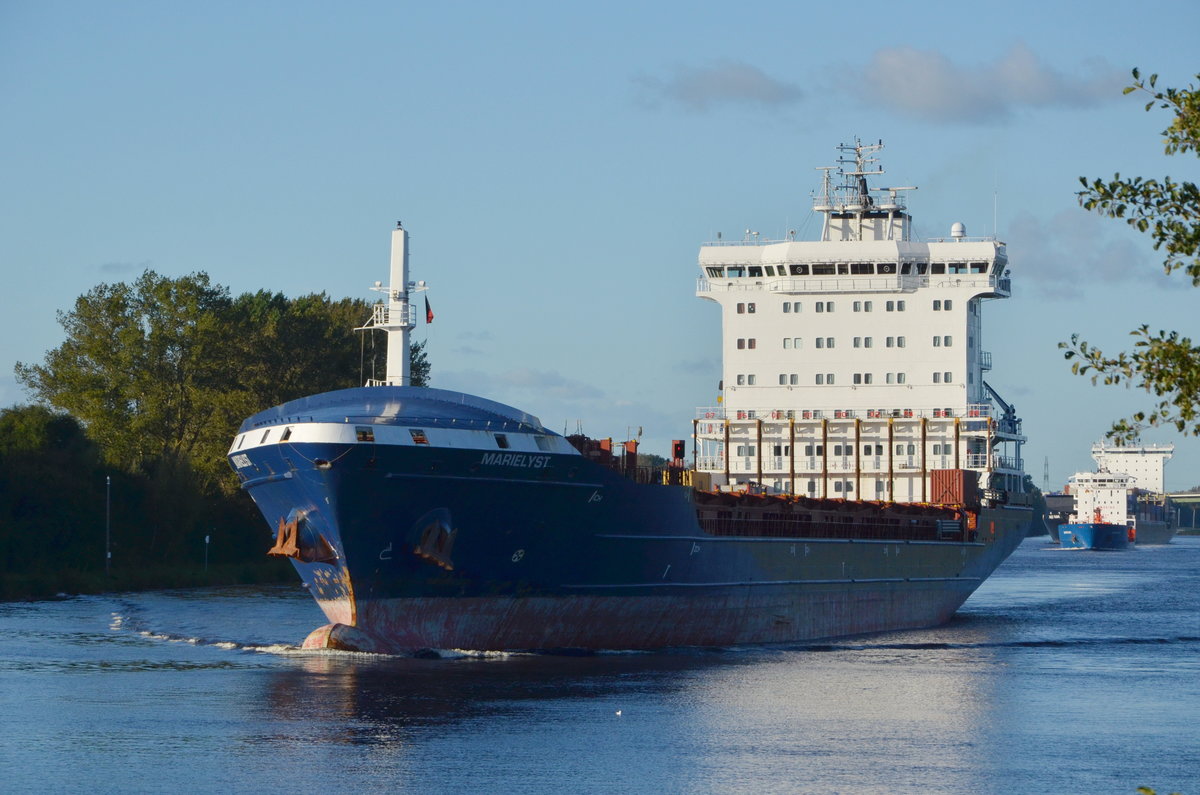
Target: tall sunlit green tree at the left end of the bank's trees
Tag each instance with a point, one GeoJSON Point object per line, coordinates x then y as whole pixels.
{"type": "Point", "coordinates": [143, 367]}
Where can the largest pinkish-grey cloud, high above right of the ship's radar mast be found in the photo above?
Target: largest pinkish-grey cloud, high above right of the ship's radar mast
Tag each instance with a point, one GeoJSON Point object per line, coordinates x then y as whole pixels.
{"type": "Point", "coordinates": [929, 86]}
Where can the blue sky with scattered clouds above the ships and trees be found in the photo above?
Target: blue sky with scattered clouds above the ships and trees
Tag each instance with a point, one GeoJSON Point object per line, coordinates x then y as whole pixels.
{"type": "Point", "coordinates": [560, 166]}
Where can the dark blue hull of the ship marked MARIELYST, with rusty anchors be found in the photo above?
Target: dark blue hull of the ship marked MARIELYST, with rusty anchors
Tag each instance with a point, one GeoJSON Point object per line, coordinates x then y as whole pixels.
{"type": "Point", "coordinates": [411, 547]}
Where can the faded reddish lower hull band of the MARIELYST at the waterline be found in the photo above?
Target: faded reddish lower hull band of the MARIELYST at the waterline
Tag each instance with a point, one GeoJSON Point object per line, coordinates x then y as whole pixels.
{"type": "Point", "coordinates": [735, 617]}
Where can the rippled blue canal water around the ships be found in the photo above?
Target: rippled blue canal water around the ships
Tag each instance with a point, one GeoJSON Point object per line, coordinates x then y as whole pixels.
{"type": "Point", "coordinates": [1069, 672]}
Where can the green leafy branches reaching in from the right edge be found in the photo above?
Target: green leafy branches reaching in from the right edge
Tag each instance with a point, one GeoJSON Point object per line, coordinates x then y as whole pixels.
{"type": "Point", "coordinates": [1165, 364]}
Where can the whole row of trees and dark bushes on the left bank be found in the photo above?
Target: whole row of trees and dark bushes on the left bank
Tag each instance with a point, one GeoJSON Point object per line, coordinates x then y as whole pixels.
{"type": "Point", "coordinates": [136, 410]}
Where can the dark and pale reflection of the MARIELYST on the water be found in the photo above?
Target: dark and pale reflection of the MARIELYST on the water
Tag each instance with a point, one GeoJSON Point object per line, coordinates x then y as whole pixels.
{"type": "Point", "coordinates": [910, 703]}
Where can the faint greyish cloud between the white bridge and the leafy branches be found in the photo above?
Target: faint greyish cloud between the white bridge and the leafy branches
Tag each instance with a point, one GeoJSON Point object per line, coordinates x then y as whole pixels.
{"type": "Point", "coordinates": [1075, 250]}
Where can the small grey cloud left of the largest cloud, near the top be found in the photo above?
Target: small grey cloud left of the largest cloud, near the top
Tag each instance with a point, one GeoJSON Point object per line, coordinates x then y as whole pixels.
{"type": "Point", "coordinates": [721, 83]}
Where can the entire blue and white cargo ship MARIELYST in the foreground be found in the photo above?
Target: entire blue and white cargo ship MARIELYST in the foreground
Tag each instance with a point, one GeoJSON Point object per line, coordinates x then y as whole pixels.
{"type": "Point", "coordinates": [857, 474]}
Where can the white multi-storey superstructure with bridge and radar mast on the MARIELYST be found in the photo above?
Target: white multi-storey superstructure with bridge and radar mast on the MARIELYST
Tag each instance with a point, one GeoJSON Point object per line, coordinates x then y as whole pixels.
{"type": "Point", "coordinates": [854, 367]}
